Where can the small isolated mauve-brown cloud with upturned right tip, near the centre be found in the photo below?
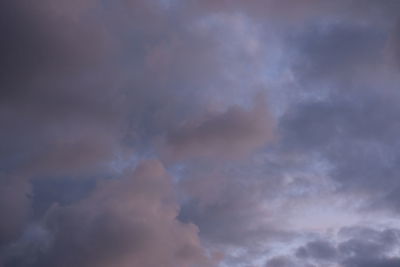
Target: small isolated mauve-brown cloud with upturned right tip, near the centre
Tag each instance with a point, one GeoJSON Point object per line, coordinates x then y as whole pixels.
{"type": "Point", "coordinates": [231, 133]}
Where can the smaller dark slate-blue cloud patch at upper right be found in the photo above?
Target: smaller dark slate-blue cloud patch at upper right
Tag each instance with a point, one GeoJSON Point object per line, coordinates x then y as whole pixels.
{"type": "Point", "coordinates": [338, 50]}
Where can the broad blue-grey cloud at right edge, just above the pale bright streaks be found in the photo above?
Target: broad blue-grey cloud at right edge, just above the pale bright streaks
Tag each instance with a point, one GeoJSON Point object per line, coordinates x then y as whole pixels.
{"type": "Point", "coordinates": [356, 132]}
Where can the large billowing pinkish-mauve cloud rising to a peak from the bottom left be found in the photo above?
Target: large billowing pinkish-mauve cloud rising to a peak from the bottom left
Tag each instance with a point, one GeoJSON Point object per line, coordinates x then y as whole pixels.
{"type": "Point", "coordinates": [123, 222]}
